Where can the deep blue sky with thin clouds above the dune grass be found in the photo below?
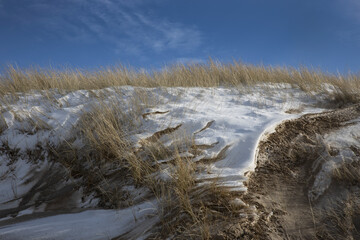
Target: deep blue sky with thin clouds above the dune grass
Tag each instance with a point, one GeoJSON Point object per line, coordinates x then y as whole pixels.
{"type": "Point", "coordinates": [151, 33]}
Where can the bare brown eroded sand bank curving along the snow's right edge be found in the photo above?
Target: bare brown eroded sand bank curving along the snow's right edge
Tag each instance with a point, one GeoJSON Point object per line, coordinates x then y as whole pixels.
{"type": "Point", "coordinates": [285, 172]}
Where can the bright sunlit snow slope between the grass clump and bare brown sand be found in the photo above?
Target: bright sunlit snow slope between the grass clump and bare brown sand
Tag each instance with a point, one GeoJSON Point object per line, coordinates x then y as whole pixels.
{"type": "Point", "coordinates": [240, 119]}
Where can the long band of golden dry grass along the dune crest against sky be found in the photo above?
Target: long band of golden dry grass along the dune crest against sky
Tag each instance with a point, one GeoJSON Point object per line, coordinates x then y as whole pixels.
{"type": "Point", "coordinates": [345, 88]}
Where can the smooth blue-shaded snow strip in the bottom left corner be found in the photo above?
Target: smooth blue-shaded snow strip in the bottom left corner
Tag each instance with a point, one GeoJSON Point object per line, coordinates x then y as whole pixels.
{"type": "Point", "coordinates": [90, 224]}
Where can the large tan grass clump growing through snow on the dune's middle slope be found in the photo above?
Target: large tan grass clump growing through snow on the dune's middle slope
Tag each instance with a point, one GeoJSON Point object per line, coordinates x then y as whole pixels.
{"type": "Point", "coordinates": [108, 161]}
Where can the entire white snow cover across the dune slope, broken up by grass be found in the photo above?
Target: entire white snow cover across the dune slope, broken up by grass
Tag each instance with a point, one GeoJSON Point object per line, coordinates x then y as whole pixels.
{"type": "Point", "coordinates": [235, 121]}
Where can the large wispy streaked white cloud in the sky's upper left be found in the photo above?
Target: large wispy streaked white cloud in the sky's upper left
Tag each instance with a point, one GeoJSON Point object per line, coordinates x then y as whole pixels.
{"type": "Point", "coordinates": [120, 23]}
